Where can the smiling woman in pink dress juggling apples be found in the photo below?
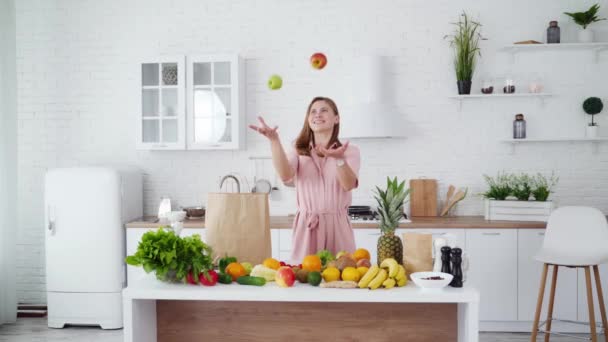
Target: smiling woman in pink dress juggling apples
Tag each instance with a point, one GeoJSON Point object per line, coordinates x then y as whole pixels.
{"type": "Point", "coordinates": [324, 171]}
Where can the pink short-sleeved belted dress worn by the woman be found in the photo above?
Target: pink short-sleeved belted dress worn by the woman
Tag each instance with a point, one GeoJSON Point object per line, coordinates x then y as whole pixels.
{"type": "Point", "coordinates": [321, 220]}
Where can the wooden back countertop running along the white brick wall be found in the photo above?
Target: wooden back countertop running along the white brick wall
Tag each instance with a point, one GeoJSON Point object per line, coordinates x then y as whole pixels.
{"type": "Point", "coordinates": [285, 222]}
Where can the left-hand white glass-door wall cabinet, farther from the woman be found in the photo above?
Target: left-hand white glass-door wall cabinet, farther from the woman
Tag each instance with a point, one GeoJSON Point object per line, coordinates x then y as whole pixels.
{"type": "Point", "coordinates": [161, 114]}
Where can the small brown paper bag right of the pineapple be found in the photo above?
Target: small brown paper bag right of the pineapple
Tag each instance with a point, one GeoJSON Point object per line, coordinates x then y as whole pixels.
{"type": "Point", "coordinates": [417, 252]}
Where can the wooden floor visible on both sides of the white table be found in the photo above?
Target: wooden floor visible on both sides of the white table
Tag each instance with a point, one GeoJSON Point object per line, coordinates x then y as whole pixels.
{"type": "Point", "coordinates": [36, 330]}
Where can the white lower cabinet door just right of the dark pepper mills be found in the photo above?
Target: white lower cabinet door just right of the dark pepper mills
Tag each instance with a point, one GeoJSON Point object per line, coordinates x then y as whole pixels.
{"type": "Point", "coordinates": [493, 271]}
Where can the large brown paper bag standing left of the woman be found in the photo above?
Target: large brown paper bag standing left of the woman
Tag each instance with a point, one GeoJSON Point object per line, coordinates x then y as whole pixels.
{"type": "Point", "coordinates": [238, 224]}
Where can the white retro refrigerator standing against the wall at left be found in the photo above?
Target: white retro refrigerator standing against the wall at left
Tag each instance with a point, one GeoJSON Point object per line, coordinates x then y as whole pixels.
{"type": "Point", "coordinates": [86, 209]}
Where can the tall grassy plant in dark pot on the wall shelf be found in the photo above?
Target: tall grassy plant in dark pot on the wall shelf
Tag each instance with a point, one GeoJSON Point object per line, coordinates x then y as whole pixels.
{"type": "Point", "coordinates": [465, 42]}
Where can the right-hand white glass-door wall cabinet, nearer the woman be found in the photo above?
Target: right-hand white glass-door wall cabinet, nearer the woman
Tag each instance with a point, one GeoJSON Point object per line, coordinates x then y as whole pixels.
{"type": "Point", "coordinates": [215, 102]}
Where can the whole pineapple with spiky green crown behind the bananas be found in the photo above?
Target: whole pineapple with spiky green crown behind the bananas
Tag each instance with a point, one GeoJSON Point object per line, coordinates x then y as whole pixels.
{"type": "Point", "coordinates": [390, 209]}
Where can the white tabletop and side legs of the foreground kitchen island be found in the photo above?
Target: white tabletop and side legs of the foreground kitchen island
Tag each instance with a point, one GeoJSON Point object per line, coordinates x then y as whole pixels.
{"type": "Point", "coordinates": [139, 301]}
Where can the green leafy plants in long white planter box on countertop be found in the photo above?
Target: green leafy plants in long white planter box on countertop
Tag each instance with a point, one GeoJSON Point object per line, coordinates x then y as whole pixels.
{"type": "Point", "coordinates": [509, 197]}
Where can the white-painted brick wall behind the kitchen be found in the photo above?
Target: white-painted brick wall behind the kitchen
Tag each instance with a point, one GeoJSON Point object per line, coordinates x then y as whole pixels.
{"type": "Point", "coordinates": [77, 91]}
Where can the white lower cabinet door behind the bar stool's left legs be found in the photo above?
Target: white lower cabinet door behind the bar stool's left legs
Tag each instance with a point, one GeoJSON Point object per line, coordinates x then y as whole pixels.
{"type": "Point", "coordinates": [529, 272]}
